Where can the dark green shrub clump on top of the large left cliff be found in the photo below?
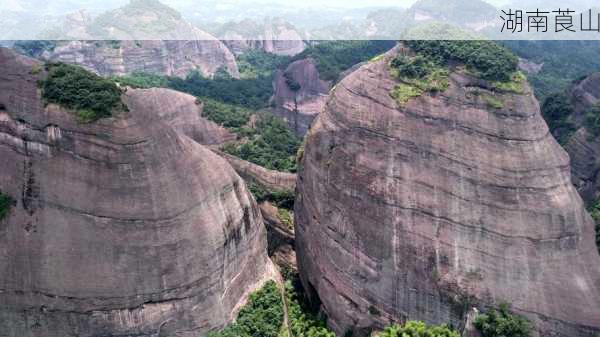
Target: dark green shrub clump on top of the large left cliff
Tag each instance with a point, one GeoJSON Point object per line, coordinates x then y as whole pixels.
{"type": "Point", "coordinates": [73, 87]}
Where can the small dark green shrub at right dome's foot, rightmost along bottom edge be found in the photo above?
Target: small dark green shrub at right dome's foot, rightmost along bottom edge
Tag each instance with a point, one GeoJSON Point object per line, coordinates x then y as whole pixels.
{"type": "Point", "coordinates": [502, 324]}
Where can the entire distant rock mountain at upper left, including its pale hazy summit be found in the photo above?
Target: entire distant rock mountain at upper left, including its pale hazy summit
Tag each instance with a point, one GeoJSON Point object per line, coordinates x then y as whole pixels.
{"type": "Point", "coordinates": [143, 36]}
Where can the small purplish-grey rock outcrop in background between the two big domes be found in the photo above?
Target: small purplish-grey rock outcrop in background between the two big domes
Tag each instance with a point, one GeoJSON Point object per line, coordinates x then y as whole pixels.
{"type": "Point", "coordinates": [299, 106]}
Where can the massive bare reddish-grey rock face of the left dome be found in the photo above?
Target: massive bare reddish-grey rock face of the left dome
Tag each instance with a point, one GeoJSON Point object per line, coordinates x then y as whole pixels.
{"type": "Point", "coordinates": [122, 227]}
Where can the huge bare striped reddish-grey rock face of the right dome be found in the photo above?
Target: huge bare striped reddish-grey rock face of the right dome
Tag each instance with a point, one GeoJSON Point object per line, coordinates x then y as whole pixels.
{"type": "Point", "coordinates": [423, 210]}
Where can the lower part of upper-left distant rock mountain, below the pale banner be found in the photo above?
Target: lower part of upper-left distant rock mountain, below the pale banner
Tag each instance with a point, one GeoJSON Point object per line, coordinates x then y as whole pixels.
{"type": "Point", "coordinates": [173, 58]}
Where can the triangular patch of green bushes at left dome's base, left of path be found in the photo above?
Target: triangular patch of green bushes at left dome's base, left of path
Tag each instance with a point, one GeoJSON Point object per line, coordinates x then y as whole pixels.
{"type": "Point", "coordinates": [261, 316]}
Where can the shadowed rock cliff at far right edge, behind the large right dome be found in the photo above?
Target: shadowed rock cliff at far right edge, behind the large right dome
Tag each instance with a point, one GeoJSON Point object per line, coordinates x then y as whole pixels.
{"type": "Point", "coordinates": [582, 147]}
